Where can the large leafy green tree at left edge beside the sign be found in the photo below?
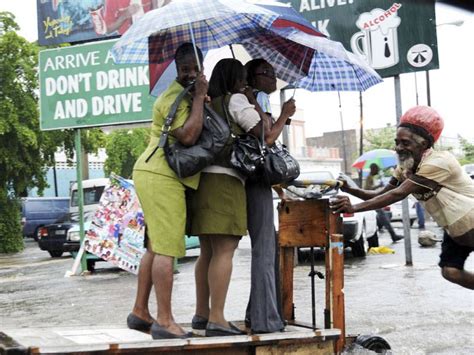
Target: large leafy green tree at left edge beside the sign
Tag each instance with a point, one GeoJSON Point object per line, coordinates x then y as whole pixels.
{"type": "Point", "coordinates": [25, 151]}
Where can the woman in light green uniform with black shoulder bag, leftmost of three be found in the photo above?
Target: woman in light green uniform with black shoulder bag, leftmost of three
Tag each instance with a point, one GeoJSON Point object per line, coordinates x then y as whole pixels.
{"type": "Point", "coordinates": [162, 196]}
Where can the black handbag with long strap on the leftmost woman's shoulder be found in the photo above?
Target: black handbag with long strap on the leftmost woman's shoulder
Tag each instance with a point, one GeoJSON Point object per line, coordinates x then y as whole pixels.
{"type": "Point", "coordinates": [188, 160]}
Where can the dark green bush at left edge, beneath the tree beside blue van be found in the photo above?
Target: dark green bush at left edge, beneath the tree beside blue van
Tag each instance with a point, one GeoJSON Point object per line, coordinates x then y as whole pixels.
{"type": "Point", "coordinates": [11, 238]}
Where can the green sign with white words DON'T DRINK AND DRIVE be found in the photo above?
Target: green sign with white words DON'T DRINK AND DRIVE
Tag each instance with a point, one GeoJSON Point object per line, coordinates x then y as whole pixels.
{"type": "Point", "coordinates": [80, 86]}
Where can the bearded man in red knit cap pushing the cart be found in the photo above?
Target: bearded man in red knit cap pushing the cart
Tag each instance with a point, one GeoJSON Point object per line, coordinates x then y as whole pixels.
{"type": "Point", "coordinates": [436, 179]}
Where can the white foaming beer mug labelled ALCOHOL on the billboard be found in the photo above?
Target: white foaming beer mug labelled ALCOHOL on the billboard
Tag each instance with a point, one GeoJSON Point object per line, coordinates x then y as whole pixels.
{"type": "Point", "coordinates": [377, 42]}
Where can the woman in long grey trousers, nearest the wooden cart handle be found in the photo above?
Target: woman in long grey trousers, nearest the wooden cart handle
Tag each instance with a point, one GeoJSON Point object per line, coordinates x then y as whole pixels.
{"type": "Point", "coordinates": [263, 314]}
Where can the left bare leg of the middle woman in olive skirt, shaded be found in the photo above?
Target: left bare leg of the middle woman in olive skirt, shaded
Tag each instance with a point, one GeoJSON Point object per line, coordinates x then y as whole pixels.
{"type": "Point", "coordinates": [200, 274]}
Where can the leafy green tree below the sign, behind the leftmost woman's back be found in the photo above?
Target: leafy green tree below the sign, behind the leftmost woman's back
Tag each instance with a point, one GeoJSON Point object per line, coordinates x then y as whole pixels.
{"type": "Point", "coordinates": [123, 148]}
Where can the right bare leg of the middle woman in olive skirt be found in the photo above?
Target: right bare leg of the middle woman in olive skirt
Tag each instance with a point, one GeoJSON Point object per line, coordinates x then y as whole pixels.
{"type": "Point", "coordinates": [220, 271]}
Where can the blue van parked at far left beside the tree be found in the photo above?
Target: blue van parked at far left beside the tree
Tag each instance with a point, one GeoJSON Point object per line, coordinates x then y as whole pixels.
{"type": "Point", "coordinates": [37, 212]}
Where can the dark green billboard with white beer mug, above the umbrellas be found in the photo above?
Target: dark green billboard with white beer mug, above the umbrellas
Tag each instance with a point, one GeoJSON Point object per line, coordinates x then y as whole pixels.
{"type": "Point", "coordinates": [392, 37]}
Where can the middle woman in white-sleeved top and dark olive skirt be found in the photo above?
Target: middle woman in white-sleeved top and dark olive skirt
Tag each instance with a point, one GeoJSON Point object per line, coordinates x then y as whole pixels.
{"type": "Point", "coordinates": [219, 214]}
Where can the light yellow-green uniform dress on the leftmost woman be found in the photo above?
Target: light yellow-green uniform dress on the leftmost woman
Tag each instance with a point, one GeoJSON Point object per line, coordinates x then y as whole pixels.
{"type": "Point", "coordinates": [160, 191]}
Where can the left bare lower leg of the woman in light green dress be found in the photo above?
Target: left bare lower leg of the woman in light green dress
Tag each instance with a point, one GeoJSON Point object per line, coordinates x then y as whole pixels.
{"type": "Point", "coordinates": [140, 309]}
